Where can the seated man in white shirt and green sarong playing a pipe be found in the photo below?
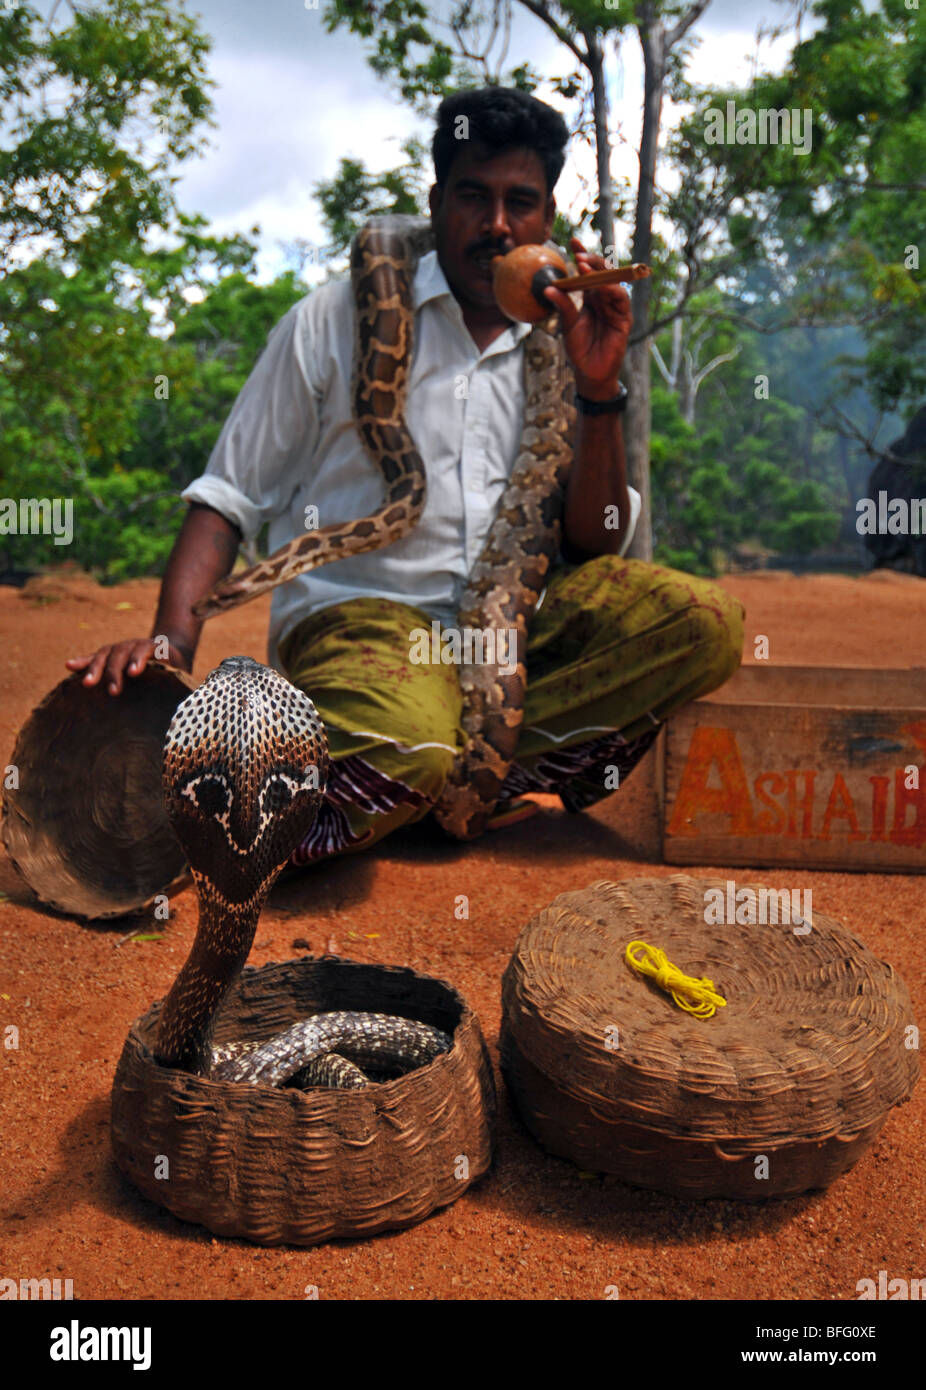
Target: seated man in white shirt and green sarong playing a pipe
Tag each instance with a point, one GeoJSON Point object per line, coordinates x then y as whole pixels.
{"type": "Point", "coordinates": [615, 647]}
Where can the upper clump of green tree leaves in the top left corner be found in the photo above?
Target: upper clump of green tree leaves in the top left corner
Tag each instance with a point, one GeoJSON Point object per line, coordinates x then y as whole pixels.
{"type": "Point", "coordinates": [80, 176]}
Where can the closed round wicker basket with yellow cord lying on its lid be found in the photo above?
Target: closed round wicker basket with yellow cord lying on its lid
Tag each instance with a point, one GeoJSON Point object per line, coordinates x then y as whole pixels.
{"type": "Point", "coordinates": [778, 1093]}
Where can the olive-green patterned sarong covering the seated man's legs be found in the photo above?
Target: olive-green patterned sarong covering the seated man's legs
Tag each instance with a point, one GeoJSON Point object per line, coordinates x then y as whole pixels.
{"type": "Point", "coordinates": [615, 650]}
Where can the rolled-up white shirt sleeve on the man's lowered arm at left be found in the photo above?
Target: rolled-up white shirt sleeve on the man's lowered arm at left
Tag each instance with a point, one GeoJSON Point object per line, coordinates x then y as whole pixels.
{"type": "Point", "coordinates": [250, 477]}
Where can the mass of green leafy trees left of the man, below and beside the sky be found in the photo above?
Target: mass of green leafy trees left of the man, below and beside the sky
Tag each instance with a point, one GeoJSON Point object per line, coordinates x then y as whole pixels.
{"type": "Point", "coordinates": [115, 386]}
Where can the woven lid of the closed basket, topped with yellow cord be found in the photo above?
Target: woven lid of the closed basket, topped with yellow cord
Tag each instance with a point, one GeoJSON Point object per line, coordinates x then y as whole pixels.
{"type": "Point", "coordinates": [809, 1047]}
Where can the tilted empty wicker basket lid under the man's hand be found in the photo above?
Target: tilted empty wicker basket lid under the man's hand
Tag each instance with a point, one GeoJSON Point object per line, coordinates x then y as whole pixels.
{"type": "Point", "coordinates": [87, 828]}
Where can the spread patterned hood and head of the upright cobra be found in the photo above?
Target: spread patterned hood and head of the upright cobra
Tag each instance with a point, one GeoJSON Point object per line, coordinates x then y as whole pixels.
{"type": "Point", "coordinates": [245, 771]}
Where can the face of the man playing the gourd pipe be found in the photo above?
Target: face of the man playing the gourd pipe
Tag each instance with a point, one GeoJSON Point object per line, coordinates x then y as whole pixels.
{"type": "Point", "coordinates": [486, 209]}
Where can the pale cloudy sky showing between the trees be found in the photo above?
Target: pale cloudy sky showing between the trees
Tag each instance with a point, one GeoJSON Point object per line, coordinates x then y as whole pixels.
{"type": "Point", "coordinates": [294, 99]}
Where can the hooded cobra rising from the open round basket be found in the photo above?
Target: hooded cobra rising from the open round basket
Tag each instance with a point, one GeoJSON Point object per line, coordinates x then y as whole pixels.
{"type": "Point", "coordinates": [245, 765]}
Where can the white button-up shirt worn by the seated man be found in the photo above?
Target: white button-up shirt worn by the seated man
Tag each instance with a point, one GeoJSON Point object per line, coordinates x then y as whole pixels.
{"type": "Point", "coordinates": [290, 444]}
